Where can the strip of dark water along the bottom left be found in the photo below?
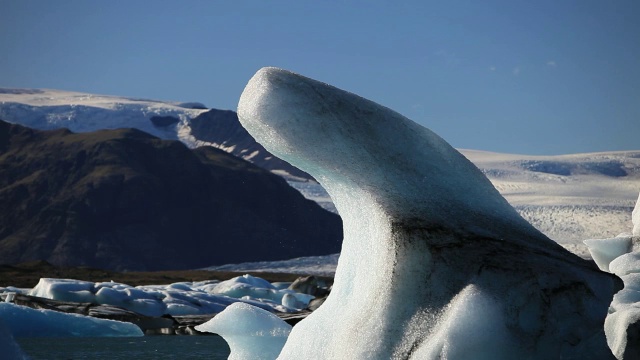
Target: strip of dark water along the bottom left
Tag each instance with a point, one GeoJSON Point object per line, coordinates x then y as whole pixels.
{"type": "Point", "coordinates": [130, 348]}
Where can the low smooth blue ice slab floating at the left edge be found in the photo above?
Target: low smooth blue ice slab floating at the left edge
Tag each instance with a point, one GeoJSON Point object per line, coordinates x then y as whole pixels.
{"type": "Point", "coordinates": [23, 321]}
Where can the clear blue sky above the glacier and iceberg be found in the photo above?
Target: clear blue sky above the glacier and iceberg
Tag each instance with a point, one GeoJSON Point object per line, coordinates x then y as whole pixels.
{"type": "Point", "coordinates": [528, 77]}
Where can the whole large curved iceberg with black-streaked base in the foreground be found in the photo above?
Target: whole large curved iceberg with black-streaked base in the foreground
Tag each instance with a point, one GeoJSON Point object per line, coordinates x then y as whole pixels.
{"type": "Point", "coordinates": [435, 263]}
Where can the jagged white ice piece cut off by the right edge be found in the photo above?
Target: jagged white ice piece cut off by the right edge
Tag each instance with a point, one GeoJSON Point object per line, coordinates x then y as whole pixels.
{"type": "Point", "coordinates": [621, 256]}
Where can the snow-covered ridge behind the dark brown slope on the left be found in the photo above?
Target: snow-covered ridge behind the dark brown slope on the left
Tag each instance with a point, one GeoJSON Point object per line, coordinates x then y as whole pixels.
{"type": "Point", "coordinates": [191, 123]}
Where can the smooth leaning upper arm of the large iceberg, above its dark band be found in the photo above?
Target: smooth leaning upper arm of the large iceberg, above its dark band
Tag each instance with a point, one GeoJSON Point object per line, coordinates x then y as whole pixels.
{"type": "Point", "coordinates": [347, 141]}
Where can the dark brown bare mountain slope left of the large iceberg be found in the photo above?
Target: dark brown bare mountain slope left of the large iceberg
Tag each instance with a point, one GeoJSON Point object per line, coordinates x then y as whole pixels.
{"type": "Point", "coordinates": [123, 199]}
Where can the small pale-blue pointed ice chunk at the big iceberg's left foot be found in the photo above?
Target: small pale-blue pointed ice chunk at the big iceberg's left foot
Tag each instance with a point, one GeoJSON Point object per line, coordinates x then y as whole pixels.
{"type": "Point", "coordinates": [251, 332]}
